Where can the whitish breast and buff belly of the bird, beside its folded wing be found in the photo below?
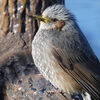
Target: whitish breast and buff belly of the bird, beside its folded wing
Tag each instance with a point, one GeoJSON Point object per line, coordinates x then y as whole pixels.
{"type": "Point", "coordinates": [49, 68]}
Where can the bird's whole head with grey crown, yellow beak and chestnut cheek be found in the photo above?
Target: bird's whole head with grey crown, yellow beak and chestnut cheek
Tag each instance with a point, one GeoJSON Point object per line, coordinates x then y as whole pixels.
{"type": "Point", "coordinates": [54, 17]}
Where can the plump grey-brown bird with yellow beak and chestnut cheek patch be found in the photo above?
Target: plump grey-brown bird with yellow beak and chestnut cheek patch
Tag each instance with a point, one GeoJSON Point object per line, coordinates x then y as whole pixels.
{"type": "Point", "coordinates": [63, 55]}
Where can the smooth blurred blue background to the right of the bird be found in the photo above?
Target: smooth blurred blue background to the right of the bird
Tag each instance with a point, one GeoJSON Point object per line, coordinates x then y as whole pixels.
{"type": "Point", "coordinates": [87, 13]}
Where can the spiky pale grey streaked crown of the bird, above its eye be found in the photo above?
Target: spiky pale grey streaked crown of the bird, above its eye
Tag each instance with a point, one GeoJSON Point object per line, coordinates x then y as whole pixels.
{"type": "Point", "coordinates": [57, 11]}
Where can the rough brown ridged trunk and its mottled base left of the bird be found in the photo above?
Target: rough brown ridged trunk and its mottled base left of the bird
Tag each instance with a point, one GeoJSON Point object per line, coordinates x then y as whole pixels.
{"type": "Point", "coordinates": [17, 70]}
